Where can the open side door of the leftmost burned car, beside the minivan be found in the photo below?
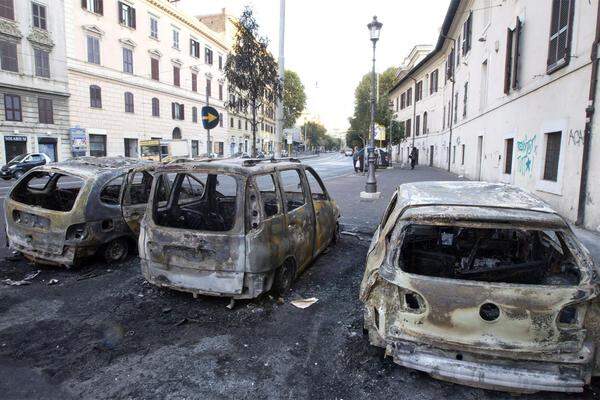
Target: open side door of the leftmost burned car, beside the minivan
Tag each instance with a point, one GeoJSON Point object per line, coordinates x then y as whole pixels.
{"type": "Point", "coordinates": [135, 197]}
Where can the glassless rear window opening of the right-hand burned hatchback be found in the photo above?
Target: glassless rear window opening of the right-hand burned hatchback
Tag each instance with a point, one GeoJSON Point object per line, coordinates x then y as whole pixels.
{"type": "Point", "coordinates": [517, 256]}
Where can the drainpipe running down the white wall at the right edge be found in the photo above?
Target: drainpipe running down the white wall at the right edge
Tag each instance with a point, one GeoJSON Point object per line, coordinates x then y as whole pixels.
{"type": "Point", "coordinates": [589, 118]}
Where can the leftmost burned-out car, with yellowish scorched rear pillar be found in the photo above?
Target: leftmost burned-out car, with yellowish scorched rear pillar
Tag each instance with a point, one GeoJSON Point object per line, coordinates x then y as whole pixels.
{"type": "Point", "coordinates": [63, 212]}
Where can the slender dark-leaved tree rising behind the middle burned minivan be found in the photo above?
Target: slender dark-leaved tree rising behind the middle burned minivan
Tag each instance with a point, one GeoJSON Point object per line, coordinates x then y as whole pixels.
{"type": "Point", "coordinates": [251, 72]}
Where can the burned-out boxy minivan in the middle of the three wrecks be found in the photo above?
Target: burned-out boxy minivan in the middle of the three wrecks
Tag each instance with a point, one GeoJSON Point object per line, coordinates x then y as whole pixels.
{"type": "Point", "coordinates": [233, 228]}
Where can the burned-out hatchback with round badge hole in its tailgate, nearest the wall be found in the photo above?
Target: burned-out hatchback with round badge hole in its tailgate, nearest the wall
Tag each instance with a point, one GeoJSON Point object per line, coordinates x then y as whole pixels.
{"type": "Point", "coordinates": [485, 285]}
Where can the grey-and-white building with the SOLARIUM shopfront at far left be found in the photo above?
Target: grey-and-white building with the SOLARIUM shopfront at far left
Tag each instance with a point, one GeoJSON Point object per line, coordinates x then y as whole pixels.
{"type": "Point", "coordinates": [33, 79]}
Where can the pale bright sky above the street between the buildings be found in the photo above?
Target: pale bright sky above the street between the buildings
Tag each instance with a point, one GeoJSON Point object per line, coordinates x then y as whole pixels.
{"type": "Point", "coordinates": [327, 42]}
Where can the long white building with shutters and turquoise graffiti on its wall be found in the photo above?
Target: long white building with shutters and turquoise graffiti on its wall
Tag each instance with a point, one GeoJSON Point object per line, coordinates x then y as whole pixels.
{"type": "Point", "coordinates": [504, 96]}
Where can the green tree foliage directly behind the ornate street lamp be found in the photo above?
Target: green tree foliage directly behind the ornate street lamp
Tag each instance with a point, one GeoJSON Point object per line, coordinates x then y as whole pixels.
{"type": "Point", "coordinates": [360, 121]}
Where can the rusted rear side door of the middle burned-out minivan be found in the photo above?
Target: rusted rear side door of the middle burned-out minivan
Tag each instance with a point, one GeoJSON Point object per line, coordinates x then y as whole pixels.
{"type": "Point", "coordinates": [300, 217]}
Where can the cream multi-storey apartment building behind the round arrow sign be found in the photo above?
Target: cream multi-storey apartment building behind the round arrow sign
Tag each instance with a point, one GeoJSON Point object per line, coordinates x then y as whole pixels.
{"type": "Point", "coordinates": [142, 69]}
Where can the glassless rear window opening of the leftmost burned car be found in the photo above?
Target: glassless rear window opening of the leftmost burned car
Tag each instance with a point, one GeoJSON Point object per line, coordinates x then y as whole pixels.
{"type": "Point", "coordinates": [52, 191]}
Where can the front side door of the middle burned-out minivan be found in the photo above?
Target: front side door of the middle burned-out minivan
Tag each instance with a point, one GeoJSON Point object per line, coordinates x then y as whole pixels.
{"type": "Point", "coordinates": [324, 211]}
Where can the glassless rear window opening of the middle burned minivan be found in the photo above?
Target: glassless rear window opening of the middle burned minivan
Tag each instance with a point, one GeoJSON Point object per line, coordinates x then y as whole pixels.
{"type": "Point", "coordinates": [197, 201]}
